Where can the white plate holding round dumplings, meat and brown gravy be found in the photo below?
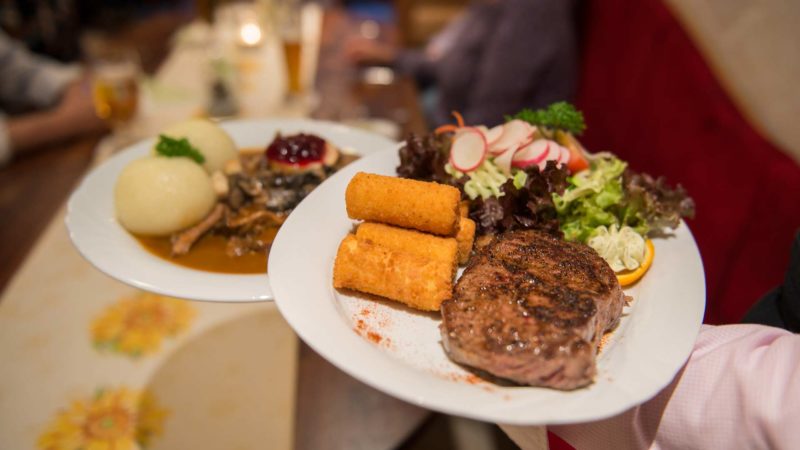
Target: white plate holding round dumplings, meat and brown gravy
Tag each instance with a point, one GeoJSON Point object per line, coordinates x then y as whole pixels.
{"type": "Point", "coordinates": [104, 243]}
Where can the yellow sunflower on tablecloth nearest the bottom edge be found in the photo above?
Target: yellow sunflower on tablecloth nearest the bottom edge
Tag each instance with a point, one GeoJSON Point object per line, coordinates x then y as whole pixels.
{"type": "Point", "coordinates": [114, 419]}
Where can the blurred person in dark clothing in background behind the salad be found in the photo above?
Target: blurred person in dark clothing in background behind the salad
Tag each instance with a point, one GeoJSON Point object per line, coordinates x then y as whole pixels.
{"type": "Point", "coordinates": [497, 57]}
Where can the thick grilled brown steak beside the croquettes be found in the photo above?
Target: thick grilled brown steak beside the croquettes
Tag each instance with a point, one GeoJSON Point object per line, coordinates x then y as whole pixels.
{"type": "Point", "coordinates": [532, 308]}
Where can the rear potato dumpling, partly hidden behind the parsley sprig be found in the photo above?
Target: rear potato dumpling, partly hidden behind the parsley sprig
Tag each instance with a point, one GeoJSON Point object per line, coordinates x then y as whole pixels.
{"type": "Point", "coordinates": [208, 138]}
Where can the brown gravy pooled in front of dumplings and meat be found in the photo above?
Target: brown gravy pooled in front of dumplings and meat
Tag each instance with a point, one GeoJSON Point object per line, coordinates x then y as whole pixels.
{"type": "Point", "coordinates": [208, 254]}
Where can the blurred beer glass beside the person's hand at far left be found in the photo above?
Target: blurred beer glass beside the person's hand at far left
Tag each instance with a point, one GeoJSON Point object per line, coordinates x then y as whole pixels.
{"type": "Point", "coordinates": [115, 83]}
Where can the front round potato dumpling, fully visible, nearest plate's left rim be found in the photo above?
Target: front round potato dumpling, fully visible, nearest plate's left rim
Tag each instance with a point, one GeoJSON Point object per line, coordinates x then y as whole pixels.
{"type": "Point", "coordinates": [157, 196]}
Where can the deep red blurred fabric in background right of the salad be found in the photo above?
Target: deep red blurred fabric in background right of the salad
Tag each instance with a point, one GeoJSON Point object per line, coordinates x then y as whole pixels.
{"type": "Point", "coordinates": [650, 97]}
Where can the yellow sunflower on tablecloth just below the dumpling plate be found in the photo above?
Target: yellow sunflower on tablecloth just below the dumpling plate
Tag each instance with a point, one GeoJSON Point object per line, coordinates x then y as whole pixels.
{"type": "Point", "coordinates": [137, 325]}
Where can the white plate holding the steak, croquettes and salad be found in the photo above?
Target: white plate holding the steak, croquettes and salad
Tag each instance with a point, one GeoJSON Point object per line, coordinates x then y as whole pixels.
{"type": "Point", "coordinates": [398, 351]}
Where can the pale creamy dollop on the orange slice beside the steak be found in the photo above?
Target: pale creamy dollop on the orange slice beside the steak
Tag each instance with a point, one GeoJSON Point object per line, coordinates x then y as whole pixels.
{"type": "Point", "coordinates": [623, 249]}
